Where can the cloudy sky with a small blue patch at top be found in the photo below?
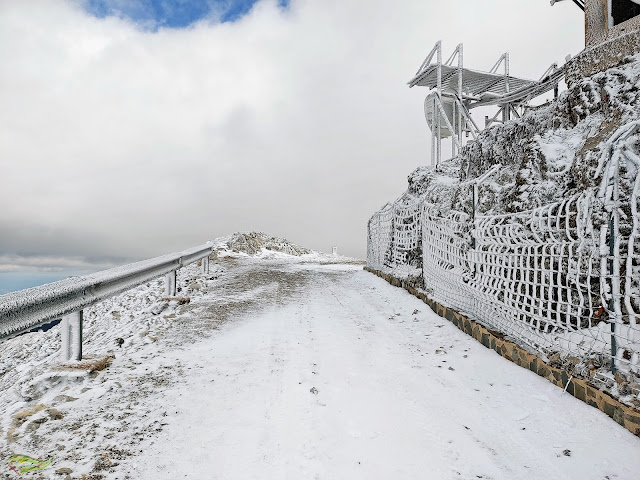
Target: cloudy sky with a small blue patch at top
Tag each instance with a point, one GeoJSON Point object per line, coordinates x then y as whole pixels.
{"type": "Point", "coordinates": [133, 128]}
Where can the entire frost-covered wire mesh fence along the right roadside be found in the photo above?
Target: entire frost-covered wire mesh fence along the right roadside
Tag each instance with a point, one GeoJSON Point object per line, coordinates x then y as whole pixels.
{"type": "Point", "coordinates": [563, 277]}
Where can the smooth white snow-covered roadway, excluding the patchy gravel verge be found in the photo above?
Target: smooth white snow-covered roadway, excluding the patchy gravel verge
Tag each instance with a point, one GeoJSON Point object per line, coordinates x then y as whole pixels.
{"type": "Point", "coordinates": [399, 395]}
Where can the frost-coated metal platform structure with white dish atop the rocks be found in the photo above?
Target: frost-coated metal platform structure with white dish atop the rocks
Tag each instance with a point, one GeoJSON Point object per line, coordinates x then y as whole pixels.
{"type": "Point", "coordinates": [455, 90]}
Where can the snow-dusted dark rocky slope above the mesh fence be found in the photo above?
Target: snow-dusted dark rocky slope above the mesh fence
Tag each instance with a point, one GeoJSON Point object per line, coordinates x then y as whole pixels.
{"type": "Point", "coordinates": [551, 152]}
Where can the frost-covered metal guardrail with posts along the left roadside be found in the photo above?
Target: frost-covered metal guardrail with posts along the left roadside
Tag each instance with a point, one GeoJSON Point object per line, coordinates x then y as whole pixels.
{"type": "Point", "coordinates": [27, 309]}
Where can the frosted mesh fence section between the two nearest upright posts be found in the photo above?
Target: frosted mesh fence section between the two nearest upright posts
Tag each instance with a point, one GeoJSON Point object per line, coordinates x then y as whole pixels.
{"type": "Point", "coordinates": [536, 276]}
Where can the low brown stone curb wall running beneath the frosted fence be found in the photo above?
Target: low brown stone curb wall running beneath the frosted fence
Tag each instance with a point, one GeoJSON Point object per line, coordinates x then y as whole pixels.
{"type": "Point", "coordinates": [626, 416]}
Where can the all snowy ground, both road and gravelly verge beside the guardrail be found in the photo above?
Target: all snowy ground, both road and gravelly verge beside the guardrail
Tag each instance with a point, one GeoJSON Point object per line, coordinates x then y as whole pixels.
{"type": "Point", "coordinates": [292, 367]}
